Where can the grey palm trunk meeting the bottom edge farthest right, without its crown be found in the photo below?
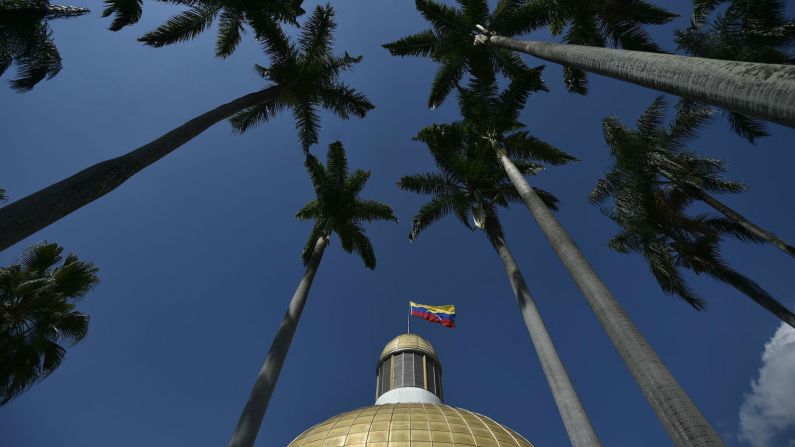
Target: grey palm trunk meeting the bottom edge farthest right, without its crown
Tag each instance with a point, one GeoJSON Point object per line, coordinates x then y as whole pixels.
{"type": "Point", "coordinates": [685, 424]}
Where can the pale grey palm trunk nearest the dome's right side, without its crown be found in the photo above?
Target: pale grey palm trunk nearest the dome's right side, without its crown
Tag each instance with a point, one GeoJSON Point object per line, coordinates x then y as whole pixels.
{"type": "Point", "coordinates": [576, 421]}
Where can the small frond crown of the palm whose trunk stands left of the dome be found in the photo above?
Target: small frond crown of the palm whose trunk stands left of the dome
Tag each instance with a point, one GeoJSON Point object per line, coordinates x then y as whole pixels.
{"type": "Point", "coordinates": [337, 207]}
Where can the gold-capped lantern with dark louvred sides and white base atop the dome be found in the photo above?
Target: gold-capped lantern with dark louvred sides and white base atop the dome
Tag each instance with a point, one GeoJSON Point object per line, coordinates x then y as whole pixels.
{"type": "Point", "coordinates": [408, 371]}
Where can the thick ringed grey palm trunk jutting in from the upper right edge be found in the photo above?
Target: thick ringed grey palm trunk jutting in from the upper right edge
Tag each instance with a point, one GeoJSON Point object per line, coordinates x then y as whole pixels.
{"type": "Point", "coordinates": [765, 91]}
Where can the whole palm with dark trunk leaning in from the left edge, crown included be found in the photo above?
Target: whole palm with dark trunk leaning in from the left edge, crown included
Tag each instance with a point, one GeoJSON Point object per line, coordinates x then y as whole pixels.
{"type": "Point", "coordinates": [301, 77]}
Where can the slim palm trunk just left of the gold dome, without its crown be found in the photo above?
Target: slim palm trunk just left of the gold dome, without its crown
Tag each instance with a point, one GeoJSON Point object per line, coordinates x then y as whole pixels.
{"type": "Point", "coordinates": [248, 426]}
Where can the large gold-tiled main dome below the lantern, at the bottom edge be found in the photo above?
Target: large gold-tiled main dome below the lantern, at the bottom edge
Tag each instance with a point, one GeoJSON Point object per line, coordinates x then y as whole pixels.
{"type": "Point", "coordinates": [409, 425]}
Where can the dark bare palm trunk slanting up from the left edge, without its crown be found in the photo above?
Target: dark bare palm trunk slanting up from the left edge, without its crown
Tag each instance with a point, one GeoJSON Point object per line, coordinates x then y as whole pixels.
{"type": "Point", "coordinates": [30, 214]}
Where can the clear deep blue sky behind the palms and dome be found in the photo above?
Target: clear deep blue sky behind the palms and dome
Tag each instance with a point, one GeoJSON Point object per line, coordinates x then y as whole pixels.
{"type": "Point", "coordinates": [199, 254]}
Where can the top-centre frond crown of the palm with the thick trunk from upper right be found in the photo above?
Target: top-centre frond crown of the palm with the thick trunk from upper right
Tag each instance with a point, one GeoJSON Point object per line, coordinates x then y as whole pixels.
{"type": "Point", "coordinates": [449, 39]}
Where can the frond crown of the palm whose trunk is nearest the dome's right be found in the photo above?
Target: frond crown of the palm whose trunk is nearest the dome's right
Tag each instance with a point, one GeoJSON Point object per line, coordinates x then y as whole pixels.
{"type": "Point", "coordinates": [469, 180]}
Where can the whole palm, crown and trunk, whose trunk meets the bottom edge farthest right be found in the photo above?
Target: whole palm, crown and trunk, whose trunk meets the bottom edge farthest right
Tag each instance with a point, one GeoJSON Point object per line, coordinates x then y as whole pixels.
{"type": "Point", "coordinates": [491, 117]}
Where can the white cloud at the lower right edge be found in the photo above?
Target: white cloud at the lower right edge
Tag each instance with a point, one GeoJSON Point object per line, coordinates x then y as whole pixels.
{"type": "Point", "coordinates": [767, 414]}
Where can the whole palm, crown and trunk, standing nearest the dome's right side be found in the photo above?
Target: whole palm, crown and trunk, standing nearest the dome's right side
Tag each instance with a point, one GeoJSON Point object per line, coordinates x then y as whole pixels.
{"type": "Point", "coordinates": [470, 182]}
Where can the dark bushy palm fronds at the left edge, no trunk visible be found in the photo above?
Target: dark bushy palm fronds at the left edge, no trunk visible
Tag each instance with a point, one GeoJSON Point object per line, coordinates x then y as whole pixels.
{"type": "Point", "coordinates": [37, 315]}
